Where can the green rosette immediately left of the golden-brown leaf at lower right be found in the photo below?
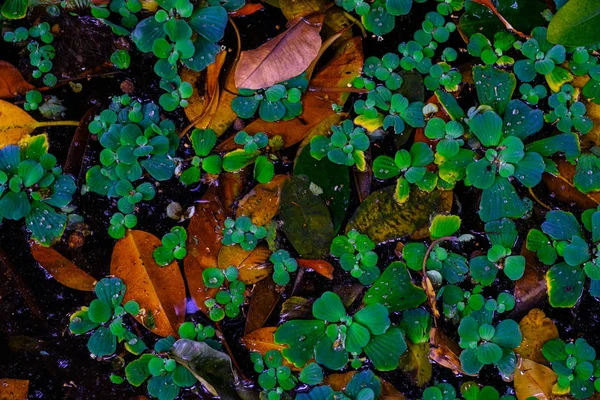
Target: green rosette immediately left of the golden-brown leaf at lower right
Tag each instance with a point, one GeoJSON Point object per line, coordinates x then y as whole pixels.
{"type": "Point", "coordinates": [486, 344]}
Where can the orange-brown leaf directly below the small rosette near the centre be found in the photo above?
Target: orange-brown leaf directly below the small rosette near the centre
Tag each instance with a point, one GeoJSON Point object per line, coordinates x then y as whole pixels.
{"type": "Point", "coordinates": [252, 265]}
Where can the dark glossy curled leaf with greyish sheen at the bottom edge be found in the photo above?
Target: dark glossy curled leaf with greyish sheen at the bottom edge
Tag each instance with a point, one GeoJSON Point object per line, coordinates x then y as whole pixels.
{"type": "Point", "coordinates": [211, 367]}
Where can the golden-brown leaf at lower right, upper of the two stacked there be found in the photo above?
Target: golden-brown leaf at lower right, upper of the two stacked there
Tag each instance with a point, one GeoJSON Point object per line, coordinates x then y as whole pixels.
{"type": "Point", "coordinates": [537, 329]}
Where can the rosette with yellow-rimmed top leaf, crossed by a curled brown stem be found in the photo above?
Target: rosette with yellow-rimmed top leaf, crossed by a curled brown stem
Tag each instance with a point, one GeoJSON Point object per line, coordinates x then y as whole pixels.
{"type": "Point", "coordinates": [441, 263]}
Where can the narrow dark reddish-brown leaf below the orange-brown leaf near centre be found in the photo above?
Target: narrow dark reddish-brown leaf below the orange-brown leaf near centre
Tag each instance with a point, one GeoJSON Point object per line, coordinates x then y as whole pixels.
{"type": "Point", "coordinates": [265, 297]}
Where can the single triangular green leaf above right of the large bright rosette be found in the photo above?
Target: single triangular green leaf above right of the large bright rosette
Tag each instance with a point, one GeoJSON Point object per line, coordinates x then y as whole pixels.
{"type": "Point", "coordinates": [395, 290]}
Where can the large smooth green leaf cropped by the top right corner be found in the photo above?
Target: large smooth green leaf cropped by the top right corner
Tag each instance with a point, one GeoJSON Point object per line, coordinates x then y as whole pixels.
{"type": "Point", "coordinates": [577, 23]}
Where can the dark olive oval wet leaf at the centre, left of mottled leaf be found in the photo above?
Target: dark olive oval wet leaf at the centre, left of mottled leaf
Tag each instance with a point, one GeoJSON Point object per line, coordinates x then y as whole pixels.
{"type": "Point", "coordinates": [306, 219]}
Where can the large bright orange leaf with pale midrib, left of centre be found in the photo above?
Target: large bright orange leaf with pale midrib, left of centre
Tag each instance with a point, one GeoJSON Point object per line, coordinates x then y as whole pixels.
{"type": "Point", "coordinates": [158, 290]}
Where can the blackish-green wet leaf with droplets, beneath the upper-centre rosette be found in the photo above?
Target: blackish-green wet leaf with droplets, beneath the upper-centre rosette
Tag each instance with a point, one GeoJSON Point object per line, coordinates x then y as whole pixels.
{"type": "Point", "coordinates": [332, 179]}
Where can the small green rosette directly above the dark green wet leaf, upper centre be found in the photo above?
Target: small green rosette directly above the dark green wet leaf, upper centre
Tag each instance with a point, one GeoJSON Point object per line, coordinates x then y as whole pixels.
{"type": "Point", "coordinates": [346, 146]}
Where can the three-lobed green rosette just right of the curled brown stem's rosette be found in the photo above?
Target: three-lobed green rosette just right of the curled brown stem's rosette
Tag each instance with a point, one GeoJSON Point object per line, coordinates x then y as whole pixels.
{"type": "Point", "coordinates": [502, 235]}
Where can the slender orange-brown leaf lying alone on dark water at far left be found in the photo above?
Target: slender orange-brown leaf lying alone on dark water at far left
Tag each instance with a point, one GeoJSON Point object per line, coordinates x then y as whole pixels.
{"type": "Point", "coordinates": [61, 269]}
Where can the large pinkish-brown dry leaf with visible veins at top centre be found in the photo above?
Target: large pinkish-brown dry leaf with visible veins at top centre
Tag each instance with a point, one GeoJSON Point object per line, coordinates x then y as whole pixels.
{"type": "Point", "coordinates": [284, 57]}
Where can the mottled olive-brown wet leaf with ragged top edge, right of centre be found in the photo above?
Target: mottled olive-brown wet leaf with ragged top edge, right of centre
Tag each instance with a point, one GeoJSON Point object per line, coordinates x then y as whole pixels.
{"type": "Point", "coordinates": [382, 218]}
